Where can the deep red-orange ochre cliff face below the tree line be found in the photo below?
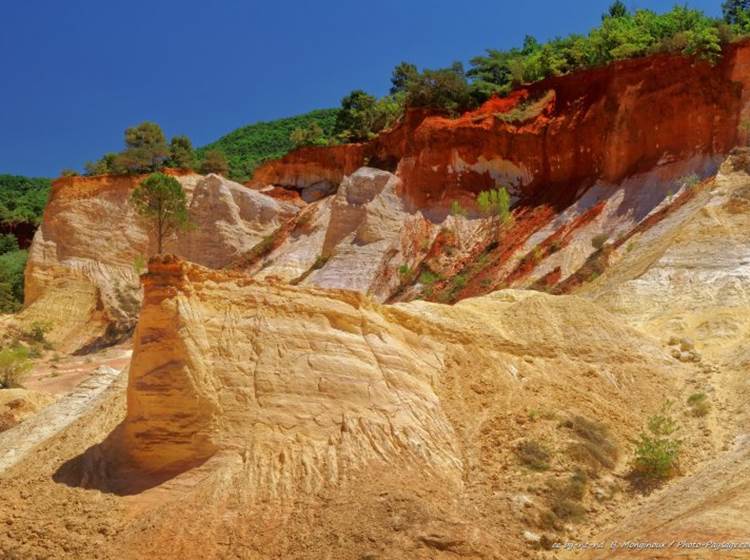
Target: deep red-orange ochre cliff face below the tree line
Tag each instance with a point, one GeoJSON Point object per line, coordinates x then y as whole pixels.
{"type": "Point", "coordinates": [553, 138]}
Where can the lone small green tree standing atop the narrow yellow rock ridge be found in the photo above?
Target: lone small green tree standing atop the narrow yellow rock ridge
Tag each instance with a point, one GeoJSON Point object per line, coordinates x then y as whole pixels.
{"type": "Point", "coordinates": [160, 199]}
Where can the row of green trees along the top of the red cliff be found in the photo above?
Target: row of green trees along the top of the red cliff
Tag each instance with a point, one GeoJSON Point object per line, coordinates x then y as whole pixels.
{"type": "Point", "coordinates": [622, 34]}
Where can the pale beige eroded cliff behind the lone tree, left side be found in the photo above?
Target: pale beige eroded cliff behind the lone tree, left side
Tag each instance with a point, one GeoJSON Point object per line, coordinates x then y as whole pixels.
{"type": "Point", "coordinates": [81, 274]}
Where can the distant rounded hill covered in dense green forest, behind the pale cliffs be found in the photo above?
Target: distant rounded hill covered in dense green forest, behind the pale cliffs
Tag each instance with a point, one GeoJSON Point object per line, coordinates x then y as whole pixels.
{"type": "Point", "coordinates": [249, 146]}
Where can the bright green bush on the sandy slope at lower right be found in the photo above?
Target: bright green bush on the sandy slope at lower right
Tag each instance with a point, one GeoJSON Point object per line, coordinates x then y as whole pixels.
{"type": "Point", "coordinates": [657, 450]}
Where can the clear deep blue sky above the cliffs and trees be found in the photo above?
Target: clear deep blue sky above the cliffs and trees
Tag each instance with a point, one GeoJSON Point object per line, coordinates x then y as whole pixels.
{"type": "Point", "coordinates": [76, 73]}
